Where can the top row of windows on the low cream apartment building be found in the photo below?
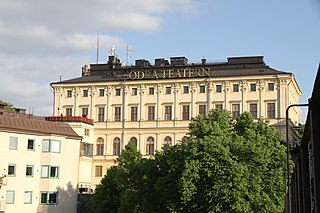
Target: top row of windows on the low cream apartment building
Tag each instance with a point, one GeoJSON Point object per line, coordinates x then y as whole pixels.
{"type": "Point", "coordinates": [47, 145]}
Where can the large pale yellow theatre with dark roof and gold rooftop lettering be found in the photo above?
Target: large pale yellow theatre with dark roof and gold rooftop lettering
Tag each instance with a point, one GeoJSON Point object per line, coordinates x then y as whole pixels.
{"type": "Point", "coordinates": [151, 105]}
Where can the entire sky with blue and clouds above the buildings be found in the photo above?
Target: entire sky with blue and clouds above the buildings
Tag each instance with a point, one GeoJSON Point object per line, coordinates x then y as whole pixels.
{"type": "Point", "coordinates": [39, 41]}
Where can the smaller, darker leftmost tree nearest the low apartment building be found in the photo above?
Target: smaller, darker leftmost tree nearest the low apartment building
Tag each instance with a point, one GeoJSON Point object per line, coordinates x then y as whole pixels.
{"type": "Point", "coordinates": [127, 187]}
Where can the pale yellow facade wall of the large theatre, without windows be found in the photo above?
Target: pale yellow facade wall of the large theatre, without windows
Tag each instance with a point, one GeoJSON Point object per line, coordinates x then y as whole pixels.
{"type": "Point", "coordinates": [285, 92]}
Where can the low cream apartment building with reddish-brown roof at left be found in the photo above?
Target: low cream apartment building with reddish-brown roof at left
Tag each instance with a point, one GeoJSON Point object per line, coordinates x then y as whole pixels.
{"type": "Point", "coordinates": [39, 165]}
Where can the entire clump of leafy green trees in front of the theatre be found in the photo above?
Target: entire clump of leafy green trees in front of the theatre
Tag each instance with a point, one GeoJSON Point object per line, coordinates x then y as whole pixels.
{"type": "Point", "coordinates": [225, 166]}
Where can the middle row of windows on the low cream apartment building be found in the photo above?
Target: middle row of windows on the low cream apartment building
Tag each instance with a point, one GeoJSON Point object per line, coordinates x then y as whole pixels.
{"type": "Point", "coordinates": [47, 171]}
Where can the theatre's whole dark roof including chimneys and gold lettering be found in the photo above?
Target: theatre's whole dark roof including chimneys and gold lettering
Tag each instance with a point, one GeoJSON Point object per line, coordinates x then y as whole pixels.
{"type": "Point", "coordinates": [113, 71]}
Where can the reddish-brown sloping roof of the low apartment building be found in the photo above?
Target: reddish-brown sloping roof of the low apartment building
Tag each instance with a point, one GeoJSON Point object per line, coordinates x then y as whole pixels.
{"type": "Point", "coordinates": [30, 125]}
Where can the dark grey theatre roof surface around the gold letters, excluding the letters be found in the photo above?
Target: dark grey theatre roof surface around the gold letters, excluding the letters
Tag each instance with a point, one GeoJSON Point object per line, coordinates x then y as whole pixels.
{"type": "Point", "coordinates": [238, 66]}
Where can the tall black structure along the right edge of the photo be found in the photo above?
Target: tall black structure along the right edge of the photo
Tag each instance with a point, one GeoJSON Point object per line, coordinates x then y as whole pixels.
{"type": "Point", "coordinates": [304, 191]}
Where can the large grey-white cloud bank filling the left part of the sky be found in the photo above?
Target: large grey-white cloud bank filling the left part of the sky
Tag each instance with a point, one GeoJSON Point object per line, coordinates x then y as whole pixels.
{"type": "Point", "coordinates": [42, 40]}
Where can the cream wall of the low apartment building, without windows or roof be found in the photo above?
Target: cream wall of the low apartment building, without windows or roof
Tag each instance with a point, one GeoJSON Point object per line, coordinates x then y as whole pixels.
{"type": "Point", "coordinates": [65, 184]}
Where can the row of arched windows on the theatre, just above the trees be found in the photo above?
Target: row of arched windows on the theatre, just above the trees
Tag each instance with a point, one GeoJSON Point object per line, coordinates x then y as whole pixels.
{"type": "Point", "coordinates": [87, 149]}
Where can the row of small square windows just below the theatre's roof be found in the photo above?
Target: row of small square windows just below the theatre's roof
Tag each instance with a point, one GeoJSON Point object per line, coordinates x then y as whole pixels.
{"type": "Point", "coordinates": [168, 90]}
